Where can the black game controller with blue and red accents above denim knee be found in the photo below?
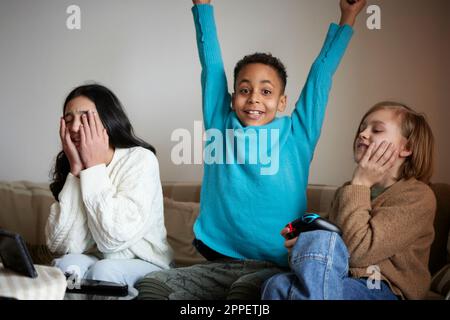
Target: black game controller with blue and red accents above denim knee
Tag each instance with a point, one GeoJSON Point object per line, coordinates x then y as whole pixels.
{"type": "Point", "coordinates": [310, 222]}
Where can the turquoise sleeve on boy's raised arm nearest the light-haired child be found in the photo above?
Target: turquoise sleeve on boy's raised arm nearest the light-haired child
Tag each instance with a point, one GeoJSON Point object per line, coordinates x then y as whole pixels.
{"type": "Point", "coordinates": [309, 111]}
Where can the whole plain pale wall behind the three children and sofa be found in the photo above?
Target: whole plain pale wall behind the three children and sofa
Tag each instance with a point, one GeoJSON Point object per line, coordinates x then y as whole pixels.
{"type": "Point", "coordinates": [145, 51]}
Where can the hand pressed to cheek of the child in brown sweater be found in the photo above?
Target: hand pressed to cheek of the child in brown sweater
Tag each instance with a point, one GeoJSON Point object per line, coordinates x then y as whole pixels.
{"type": "Point", "coordinates": [375, 164]}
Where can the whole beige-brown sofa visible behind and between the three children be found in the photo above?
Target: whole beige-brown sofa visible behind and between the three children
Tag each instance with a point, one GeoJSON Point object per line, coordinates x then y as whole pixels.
{"type": "Point", "coordinates": [24, 207]}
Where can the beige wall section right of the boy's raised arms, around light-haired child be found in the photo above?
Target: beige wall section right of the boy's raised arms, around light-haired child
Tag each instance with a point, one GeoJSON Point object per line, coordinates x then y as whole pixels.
{"type": "Point", "coordinates": [404, 61]}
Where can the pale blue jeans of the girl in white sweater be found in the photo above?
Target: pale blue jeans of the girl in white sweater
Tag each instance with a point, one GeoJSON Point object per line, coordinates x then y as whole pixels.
{"type": "Point", "coordinates": [126, 271]}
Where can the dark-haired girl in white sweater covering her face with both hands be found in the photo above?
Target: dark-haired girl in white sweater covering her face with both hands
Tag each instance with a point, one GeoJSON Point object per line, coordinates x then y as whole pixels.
{"type": "Point", "coordinates": [108, 221]}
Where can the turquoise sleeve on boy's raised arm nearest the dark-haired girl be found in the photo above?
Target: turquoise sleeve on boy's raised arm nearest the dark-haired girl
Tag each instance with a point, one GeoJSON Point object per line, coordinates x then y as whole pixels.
{"type": "Point", "coordinates": [216, 100]}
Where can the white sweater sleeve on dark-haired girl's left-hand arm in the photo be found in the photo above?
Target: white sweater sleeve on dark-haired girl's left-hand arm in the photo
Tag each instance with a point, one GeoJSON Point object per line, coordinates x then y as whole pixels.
{"type": "Point", "coordinates": [66, 229]}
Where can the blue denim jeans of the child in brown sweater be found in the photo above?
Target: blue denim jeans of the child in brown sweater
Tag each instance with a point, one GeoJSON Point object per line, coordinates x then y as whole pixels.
{"type": "Point", "coordinates": [319, 264]}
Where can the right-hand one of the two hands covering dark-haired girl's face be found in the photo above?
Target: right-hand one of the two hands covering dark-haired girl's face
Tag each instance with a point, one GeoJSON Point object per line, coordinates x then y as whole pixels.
{"type": "Point", "coordinates": [94, 145]}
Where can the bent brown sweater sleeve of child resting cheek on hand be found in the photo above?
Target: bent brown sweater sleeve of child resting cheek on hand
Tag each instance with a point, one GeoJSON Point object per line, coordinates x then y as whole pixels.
{"type": "Point", "coordinates": [375, 234]}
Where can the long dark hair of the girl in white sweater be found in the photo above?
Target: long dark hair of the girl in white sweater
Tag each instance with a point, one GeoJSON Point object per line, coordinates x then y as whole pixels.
{"type": "Point", "coordinates": [115, 121]}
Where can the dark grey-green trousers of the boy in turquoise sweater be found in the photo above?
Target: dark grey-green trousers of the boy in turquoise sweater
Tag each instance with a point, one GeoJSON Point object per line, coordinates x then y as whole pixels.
{"type": "Point", "coordinates": [217, 280]}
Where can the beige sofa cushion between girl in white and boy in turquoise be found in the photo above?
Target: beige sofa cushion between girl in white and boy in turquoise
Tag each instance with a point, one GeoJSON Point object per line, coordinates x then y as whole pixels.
{"type": "Point", "coordinates": [179, 218]}
